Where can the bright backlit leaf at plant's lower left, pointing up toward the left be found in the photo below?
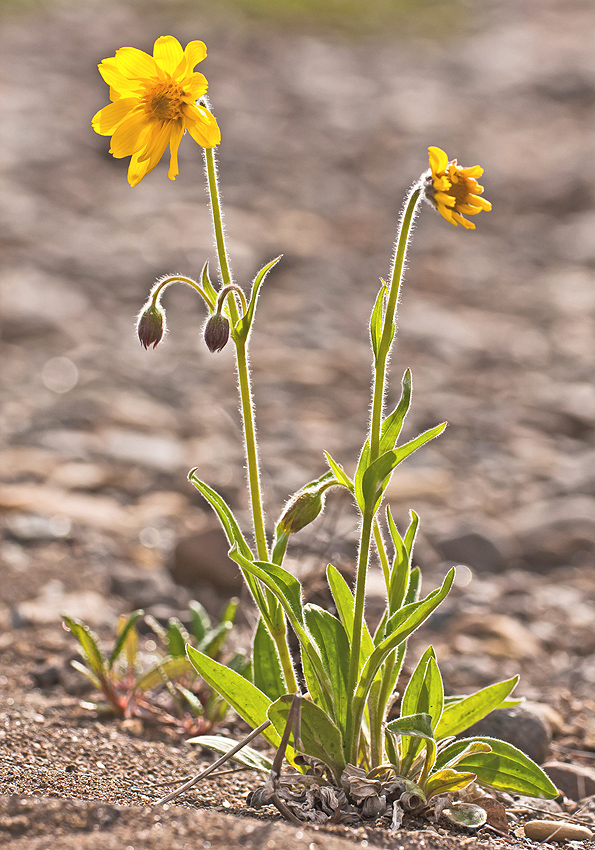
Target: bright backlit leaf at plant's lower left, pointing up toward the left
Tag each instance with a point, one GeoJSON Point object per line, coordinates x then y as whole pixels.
{"type": "Point", "coordinates": [244, 697]}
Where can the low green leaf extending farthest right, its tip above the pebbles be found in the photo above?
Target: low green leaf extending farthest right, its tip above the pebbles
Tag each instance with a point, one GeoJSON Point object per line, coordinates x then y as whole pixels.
{"type": "Point", "coordinates": [508, 769]}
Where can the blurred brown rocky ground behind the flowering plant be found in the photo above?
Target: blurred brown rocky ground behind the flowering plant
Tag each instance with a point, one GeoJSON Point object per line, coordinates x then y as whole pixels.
{"type": "Point", "coordinates": [326, 110]}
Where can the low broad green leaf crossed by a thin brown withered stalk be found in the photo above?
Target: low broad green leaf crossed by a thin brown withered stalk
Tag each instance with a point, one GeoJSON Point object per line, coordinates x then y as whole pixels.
{"type": "Point", "coordinates": [320, 737]}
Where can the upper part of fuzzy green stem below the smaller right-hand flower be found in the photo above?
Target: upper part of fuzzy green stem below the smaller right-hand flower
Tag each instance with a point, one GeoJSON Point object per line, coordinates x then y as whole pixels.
{"type": "Point", "coordinates": [408, 217]}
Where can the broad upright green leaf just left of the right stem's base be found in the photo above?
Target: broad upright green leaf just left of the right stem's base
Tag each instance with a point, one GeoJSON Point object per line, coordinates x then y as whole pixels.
{"type": "Point", "coordinates": [333, 645]}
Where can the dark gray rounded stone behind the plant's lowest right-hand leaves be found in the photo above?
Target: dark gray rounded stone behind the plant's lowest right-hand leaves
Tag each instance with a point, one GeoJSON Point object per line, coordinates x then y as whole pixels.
{"type": "Point", "coordinates": [516, 726]}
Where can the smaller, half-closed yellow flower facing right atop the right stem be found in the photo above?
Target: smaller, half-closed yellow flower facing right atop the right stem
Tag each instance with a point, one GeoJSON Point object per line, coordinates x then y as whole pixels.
{"type": "Point", "coordinates": [454, 190]}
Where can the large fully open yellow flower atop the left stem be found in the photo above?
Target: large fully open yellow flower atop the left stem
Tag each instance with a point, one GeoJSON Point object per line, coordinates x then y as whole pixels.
{"type": "Point", "coordinates": [154, 100]}
